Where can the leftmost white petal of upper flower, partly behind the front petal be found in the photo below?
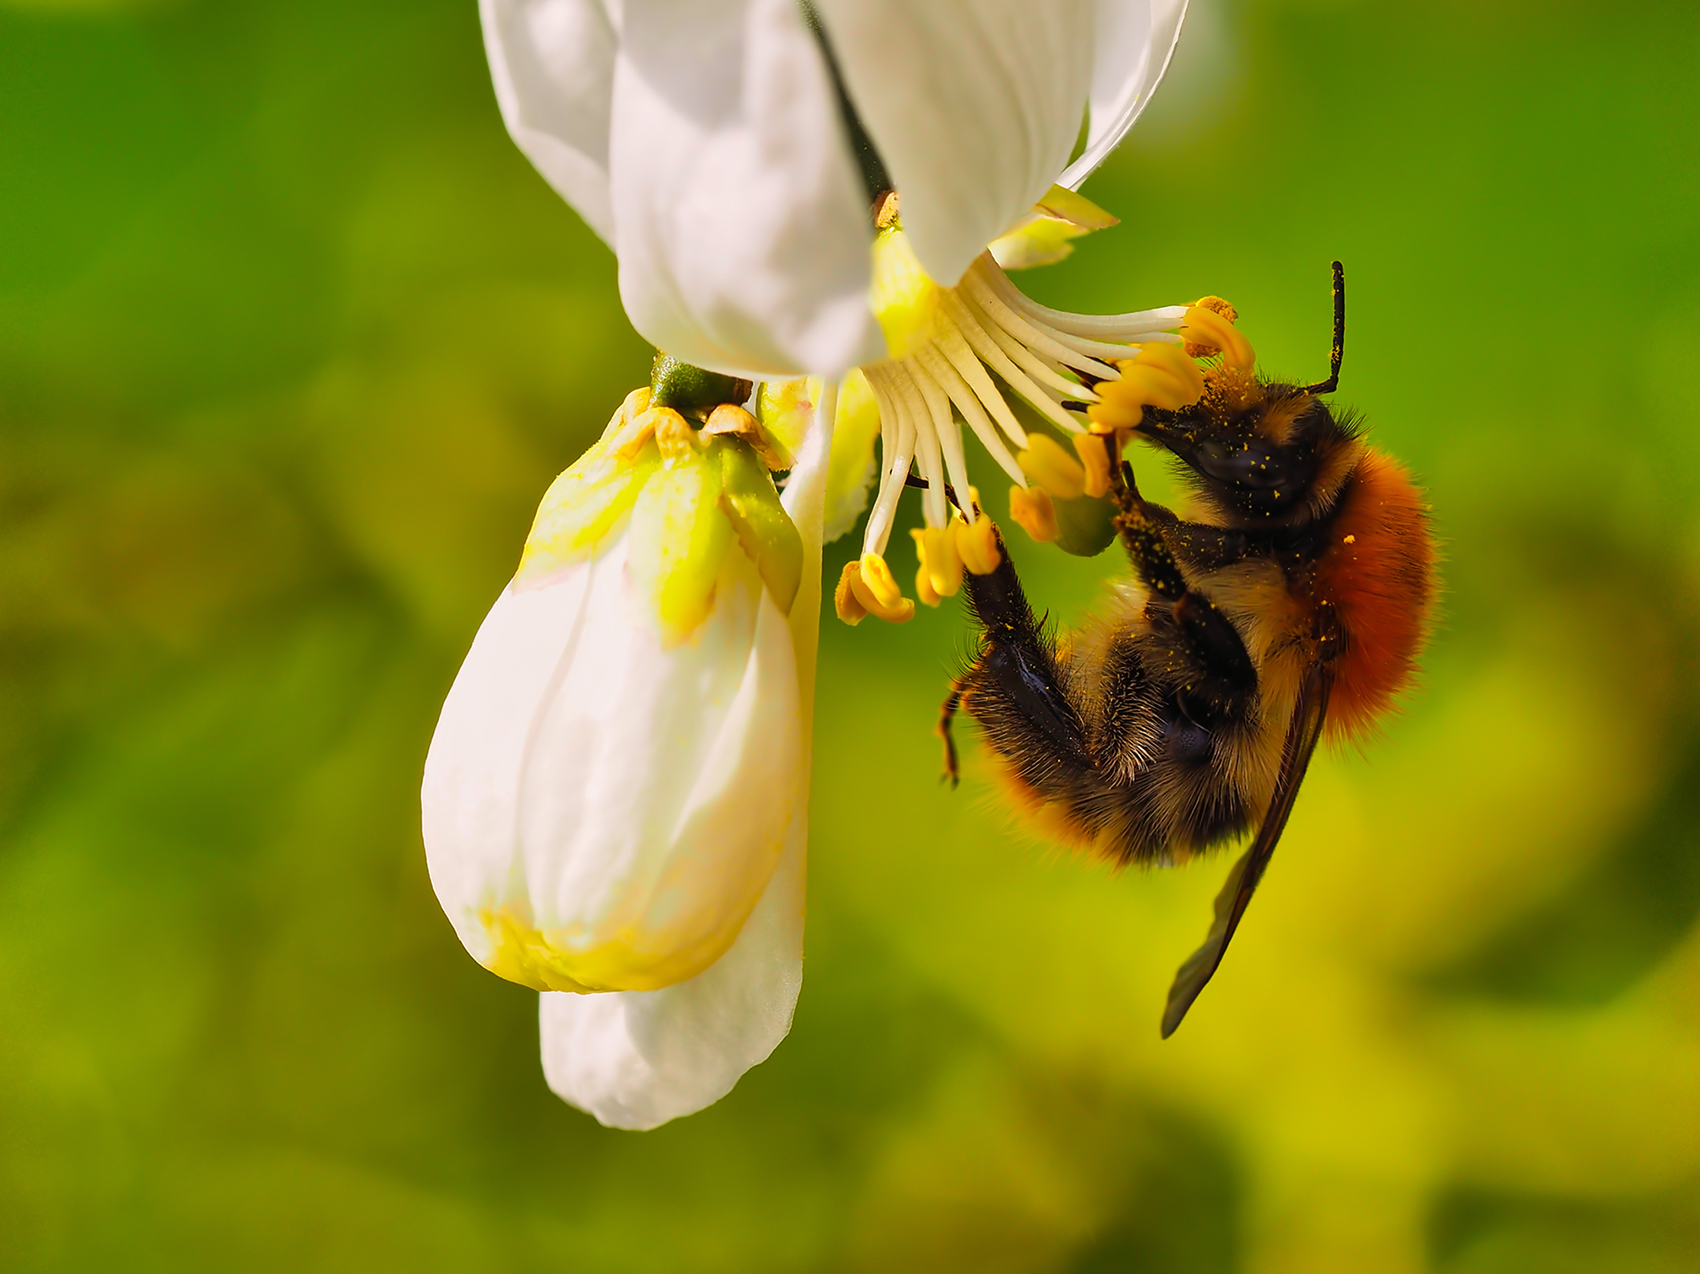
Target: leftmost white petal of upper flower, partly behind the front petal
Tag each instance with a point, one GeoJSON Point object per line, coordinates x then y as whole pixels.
{"type": "Point", "coordinates": [553, 71]}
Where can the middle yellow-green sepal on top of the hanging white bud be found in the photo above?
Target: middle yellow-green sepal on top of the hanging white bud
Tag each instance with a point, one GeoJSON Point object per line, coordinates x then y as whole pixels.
{"type": "Point", "coordinates": [679, 538]}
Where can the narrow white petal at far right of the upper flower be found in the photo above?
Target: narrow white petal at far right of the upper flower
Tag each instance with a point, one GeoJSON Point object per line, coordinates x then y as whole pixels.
{"type": "Point", "coordinates": [1136, 42]}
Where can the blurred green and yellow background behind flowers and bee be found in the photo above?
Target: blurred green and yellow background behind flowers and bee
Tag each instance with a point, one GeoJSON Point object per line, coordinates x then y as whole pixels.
{"type": "Point", "coordinates": [292, 343]}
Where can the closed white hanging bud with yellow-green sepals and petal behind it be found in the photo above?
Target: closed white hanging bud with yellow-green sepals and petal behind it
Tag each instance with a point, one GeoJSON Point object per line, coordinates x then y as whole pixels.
{"type": "Point", "coordinates": [616, 797]}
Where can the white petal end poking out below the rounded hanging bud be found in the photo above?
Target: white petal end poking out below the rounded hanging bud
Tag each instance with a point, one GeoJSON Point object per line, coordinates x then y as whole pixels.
{"type": "Point", "coordinates": [640, 1059]}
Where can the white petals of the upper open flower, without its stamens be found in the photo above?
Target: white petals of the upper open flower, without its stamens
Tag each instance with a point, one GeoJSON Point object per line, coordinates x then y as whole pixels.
{"type": "Point", "coordinates": [706, 144]}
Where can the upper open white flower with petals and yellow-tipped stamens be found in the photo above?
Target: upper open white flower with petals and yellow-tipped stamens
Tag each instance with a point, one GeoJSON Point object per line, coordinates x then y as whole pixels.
{"type": "Point", "coordinates": [728, 151]}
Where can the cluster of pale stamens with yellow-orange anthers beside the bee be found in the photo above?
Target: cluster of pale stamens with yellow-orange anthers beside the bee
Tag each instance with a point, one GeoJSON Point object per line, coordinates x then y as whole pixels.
{"type": "Point", "coordinates": [1087, 375]}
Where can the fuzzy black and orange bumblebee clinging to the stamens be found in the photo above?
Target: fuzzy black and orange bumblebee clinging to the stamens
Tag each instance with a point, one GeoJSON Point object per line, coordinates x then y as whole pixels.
{"type": "Point", "coordinates": [1289, 603]}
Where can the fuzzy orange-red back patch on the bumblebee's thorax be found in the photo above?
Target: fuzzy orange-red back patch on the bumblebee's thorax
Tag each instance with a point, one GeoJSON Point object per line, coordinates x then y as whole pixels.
{"type": "Point", "coordinates": [1380, 572]}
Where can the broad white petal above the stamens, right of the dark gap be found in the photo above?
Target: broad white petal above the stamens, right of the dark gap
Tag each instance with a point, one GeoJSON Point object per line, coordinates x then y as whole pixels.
{"type": "Point", "coordinates": [973, 106]}
